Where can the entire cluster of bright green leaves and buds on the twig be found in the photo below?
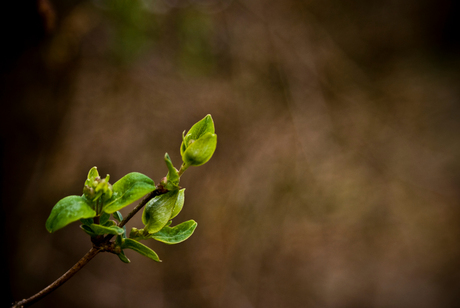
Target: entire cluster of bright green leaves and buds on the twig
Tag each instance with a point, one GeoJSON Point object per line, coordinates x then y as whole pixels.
{"type": "Point", "coordinates": [98, 208]}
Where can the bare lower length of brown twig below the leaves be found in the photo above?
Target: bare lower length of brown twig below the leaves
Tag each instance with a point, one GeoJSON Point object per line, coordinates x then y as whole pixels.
{"type": "Point", "coordinates": [60, 281]}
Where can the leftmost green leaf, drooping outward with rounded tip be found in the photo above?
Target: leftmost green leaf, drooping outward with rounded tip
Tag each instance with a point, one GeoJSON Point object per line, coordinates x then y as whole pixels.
{"type": "Point", "coordinates": [68, 210]}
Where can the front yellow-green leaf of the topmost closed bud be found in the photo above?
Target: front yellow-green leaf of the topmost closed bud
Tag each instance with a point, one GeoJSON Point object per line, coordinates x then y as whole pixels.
{"type": "Point", "coordinates": [200, 151]}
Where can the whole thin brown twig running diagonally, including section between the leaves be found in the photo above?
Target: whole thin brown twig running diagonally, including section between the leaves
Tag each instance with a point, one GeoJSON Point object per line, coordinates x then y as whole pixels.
{"type": "Point", "coordinates": [88, 256]}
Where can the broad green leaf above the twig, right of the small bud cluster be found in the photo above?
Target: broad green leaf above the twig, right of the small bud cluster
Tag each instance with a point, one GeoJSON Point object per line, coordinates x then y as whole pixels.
{"type": "Point", "coordinates": [128, 189]}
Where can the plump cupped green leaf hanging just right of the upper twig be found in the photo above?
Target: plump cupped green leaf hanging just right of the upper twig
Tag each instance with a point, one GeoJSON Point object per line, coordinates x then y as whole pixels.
{"type": "Point", "coordinates": [158, 211]}
